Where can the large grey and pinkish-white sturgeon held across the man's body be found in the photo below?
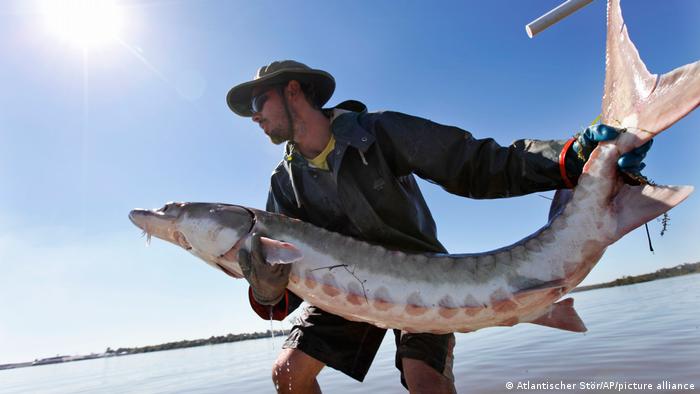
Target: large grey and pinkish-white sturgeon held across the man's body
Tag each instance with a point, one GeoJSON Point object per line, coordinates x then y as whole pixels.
{"type": "Point", "coordinates": [460, 293]}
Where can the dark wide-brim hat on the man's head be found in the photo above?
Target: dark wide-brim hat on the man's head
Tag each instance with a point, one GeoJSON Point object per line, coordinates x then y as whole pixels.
{"type": "Point", "coordinates": [278, 72]}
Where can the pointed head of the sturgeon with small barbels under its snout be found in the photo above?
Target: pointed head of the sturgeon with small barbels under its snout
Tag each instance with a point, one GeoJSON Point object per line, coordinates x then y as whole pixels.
{"type": "Point", "coordinates": [212, 232]}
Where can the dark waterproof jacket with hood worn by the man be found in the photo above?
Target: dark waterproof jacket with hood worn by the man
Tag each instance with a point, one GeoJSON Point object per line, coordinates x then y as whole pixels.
{"type": "Point", "coordinates": [370, 192]}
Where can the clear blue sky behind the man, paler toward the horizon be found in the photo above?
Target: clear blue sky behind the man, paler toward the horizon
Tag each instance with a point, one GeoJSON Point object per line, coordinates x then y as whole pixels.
{"type": "Point", "coordinates": [88, 134]}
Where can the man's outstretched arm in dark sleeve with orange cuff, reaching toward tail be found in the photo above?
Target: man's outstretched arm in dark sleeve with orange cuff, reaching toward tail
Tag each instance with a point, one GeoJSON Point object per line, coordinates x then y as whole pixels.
{"type": "Point", "coordinates": [470, 167]}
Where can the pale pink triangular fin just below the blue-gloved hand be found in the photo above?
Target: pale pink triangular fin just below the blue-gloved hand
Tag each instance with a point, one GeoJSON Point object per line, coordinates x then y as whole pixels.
{"type": "Point", "coordinates": [636, 205]}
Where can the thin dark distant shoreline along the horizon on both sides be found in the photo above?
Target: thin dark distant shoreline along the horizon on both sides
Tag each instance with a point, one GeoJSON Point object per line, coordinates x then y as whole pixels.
{"type": "Point", "coordinates": [663, 273]}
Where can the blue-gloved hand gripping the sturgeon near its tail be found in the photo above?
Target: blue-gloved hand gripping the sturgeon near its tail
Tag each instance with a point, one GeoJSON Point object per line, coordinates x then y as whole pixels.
{"type": "Point", "coordinates": [630, 163]}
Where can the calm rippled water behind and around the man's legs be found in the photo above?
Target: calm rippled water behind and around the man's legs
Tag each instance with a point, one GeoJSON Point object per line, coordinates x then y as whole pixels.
{"type": "Point", "coordinates": [645, 333]}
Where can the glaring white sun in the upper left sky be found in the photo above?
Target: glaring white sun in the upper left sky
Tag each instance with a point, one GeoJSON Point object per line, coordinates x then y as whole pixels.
{"type": "Point", "coordinates": [85, 23]}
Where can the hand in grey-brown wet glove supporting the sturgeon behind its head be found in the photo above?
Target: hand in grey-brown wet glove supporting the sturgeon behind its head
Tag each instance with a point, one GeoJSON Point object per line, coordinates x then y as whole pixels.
{"type": "Point", "coordinates": [268, 282]}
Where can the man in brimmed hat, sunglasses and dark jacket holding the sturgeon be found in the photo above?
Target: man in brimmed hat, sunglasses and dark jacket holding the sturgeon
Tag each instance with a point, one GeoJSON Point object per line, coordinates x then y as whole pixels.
{"type": "Point", "coordinates": [352, 172]}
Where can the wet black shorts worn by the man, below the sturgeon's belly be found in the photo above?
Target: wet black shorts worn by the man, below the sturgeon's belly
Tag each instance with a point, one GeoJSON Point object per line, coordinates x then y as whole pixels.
{"type": "Point", "coordinates": [351, 346]}
